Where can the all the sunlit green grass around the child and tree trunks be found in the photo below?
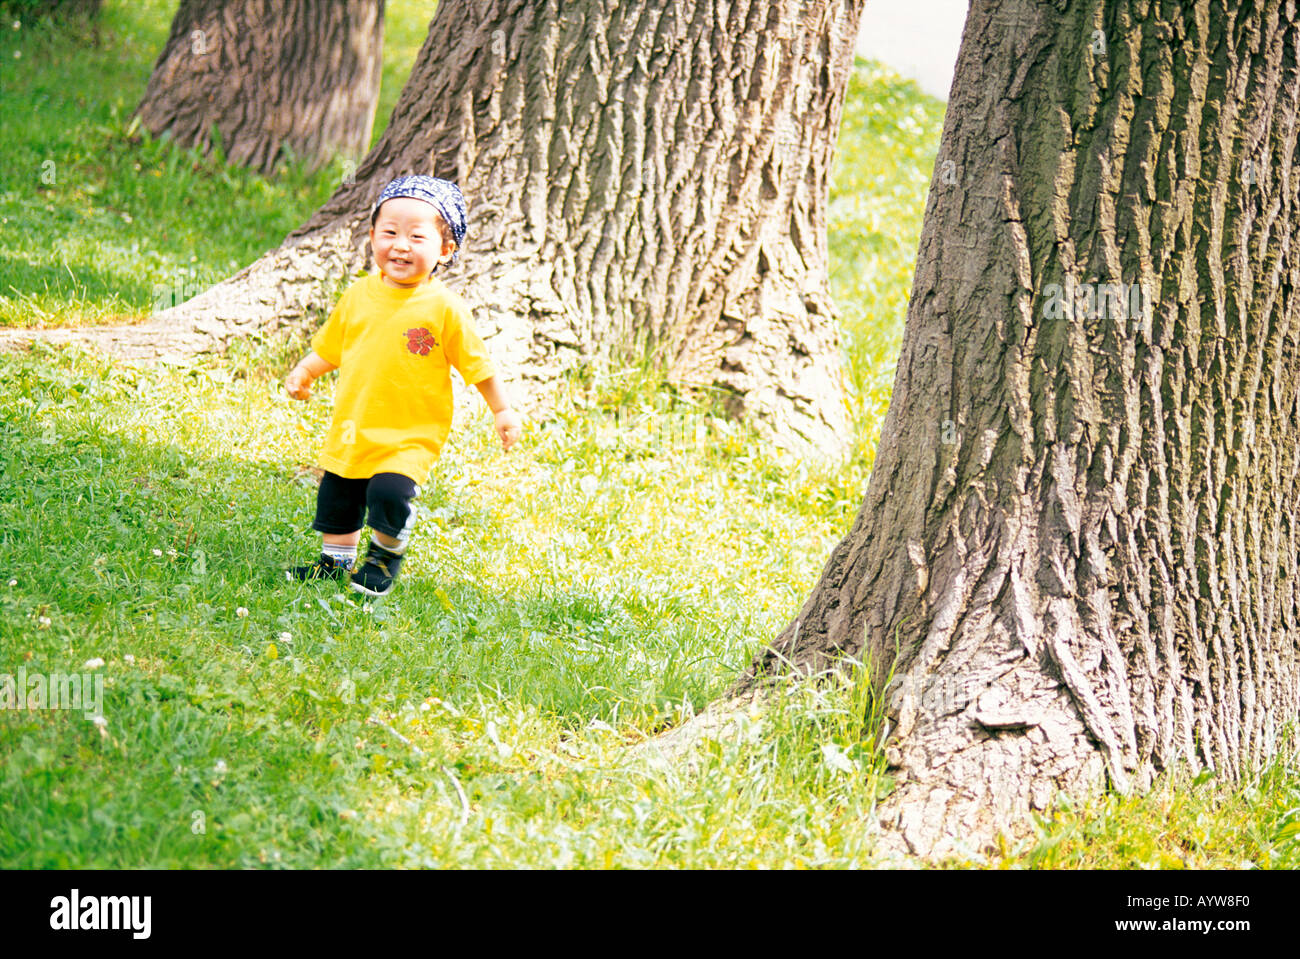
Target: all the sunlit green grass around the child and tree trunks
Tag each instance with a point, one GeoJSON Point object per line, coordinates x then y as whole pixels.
{"type": "Point", "coordinates": [562, 604]}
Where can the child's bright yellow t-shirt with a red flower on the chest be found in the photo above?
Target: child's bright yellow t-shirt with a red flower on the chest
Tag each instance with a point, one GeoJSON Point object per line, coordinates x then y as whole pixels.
{"type": "Point", "coordinates": [395, 349]}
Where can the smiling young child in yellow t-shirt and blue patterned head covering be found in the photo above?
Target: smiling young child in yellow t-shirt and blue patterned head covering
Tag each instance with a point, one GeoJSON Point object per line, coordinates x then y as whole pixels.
{"type": "Point", "coordinates": [395, 337]}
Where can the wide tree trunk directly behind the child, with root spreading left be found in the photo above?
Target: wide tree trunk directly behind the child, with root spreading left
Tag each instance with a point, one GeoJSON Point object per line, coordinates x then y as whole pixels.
{"type": "Point", "coordinates": [644, 180]}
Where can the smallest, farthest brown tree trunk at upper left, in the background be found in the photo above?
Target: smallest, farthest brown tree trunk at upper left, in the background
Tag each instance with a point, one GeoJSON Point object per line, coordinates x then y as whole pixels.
{"type": "Point", "coordinates": [267, 77]}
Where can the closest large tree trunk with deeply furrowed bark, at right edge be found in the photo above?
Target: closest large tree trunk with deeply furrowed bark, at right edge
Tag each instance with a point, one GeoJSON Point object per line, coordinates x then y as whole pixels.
{"type": "Point", "coordinates": [1077, 558]}
